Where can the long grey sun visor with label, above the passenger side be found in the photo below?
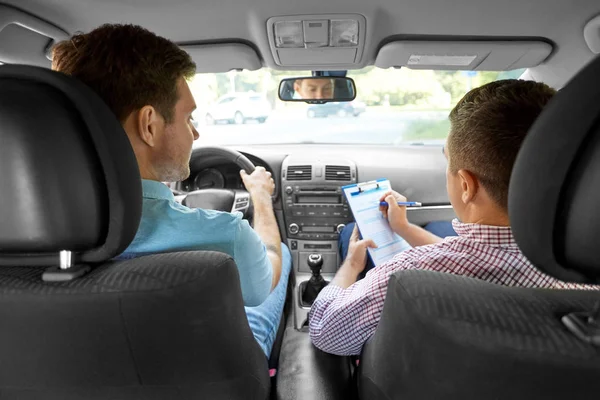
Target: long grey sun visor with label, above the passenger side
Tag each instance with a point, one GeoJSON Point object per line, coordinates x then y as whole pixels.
{"type": "Point", "coordinates": [463, 55]}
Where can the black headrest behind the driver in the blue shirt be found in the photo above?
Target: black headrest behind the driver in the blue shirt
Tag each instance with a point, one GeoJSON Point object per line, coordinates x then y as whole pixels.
{"type": "Point", "coordinates": [69, 178]}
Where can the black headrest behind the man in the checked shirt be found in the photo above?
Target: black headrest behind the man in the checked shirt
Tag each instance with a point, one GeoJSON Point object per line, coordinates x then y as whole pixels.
{"type": "Point", "coordinates": [555, 185]}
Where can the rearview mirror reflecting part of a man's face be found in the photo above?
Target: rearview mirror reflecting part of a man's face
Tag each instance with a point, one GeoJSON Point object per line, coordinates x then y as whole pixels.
{"type": "Point", "coordinates": [321, 89]}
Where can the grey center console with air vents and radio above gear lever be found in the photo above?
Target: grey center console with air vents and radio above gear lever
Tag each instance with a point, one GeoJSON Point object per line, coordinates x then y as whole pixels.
{"type": "Point", "coordinates": [315, 212]}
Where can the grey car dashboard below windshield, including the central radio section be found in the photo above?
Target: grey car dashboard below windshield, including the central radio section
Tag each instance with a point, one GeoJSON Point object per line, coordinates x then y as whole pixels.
{"type": "Point", "coordinates": [418, 172]}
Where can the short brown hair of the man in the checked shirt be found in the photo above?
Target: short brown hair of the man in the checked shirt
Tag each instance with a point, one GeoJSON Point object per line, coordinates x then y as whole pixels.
{"type": "Point", "coordinates": [487, 128]}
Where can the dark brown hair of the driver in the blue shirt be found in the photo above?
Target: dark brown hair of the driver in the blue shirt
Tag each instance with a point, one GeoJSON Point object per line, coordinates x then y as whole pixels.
{"type": "Point", "coordinates": [128, 66]}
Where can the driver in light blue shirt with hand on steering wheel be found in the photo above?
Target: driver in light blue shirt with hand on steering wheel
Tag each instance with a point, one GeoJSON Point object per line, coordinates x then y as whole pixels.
{"type": "Point", "coordinates": [143, 79]}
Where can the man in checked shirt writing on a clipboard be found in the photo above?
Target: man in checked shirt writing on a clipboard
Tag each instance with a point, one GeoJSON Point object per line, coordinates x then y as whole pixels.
{"type": "Point", "coordinates": [488, 126]}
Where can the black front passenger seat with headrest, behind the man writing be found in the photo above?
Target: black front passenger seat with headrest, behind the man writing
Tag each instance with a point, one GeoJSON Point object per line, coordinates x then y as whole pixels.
{"type": "Point", "coordinates": [451, 337]}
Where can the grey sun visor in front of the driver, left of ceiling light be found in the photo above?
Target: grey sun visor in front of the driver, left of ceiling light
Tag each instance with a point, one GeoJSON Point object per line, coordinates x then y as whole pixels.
{"type": "Point", "coordinates": [223, 57]}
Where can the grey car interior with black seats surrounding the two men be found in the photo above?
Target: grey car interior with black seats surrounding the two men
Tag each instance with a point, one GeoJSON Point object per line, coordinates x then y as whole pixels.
{"type": "Point", "coordinates": [78, 324]}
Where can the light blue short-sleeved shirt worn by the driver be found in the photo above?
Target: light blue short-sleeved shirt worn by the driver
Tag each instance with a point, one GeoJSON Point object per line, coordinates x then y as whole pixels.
{"type": "Point", "coordinates": [168, 226]}
